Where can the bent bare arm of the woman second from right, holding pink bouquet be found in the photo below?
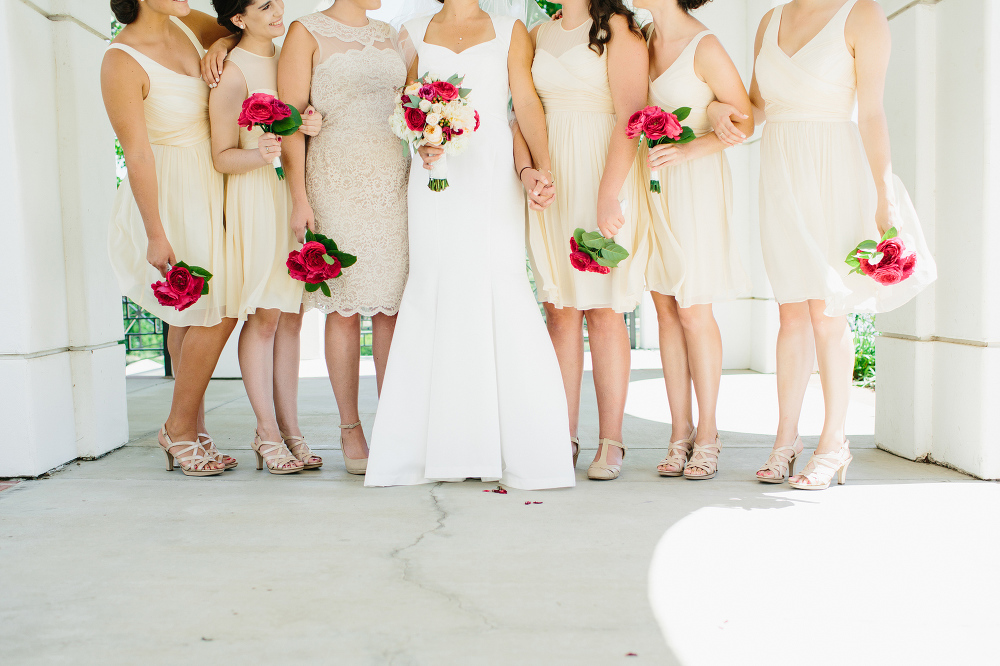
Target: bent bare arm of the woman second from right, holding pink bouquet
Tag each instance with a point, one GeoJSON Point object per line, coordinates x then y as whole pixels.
{"type": "Point", "coordinates": [713, 65]}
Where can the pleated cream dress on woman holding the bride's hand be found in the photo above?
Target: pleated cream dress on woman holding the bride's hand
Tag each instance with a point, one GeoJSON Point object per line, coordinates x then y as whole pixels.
{"type": "Point", "coordinates": [572, 82]}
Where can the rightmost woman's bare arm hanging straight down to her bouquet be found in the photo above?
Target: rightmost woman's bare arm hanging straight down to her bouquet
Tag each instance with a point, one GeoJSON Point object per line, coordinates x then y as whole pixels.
{"type": "Point", "coordinates": [868, 33]}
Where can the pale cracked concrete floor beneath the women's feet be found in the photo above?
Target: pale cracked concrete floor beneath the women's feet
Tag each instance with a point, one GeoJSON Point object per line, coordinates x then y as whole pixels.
{"type": "Point", "coordinates": [118, 561]}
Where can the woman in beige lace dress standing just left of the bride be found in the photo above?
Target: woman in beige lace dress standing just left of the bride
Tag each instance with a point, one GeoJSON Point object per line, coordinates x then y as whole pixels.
{"type": "Point", "coordinates": [350, 185]}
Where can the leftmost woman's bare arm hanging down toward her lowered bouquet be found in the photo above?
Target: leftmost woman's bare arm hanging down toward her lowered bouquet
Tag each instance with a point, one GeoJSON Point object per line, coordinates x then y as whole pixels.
{"type": "Point", "coordinates": [124, 85]}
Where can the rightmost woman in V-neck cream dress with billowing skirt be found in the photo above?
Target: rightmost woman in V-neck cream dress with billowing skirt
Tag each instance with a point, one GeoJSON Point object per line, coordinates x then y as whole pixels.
{"type": "Point", "coordinates": [826, 183]}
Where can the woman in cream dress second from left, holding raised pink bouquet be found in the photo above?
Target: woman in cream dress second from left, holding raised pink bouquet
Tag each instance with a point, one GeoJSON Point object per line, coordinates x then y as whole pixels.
{"type": "Point", "coordinates": [259, 237]}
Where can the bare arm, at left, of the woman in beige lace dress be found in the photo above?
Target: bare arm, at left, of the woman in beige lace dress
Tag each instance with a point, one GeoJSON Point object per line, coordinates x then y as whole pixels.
{"type": "Point", "coordinates": [294, 83]}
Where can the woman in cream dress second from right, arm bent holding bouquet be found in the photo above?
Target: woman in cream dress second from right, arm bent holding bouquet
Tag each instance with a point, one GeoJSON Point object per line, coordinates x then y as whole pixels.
{"type": "Point", "coordinates": [693, 262]}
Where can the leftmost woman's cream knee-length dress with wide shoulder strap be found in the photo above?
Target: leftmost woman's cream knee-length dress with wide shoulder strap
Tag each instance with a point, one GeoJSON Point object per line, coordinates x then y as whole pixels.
{"type": "Point", "coordinates": [189, 193]}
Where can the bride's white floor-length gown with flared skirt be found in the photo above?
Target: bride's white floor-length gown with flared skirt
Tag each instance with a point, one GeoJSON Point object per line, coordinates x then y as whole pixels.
{"type": "Point", "coordinates": [472, 388]}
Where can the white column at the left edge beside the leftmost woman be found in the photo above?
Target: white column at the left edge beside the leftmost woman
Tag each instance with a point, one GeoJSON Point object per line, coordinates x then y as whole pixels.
{"type": "Point", "coordinates": [62, 388]}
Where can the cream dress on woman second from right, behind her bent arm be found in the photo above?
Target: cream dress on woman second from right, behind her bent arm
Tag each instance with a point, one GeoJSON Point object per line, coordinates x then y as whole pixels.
{"type": "Point", "coordinates": [692, 256]}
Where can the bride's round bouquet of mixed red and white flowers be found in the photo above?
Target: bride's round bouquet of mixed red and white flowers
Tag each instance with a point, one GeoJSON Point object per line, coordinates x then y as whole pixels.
{"type": "Point", "coordinates": [432, 112]}
